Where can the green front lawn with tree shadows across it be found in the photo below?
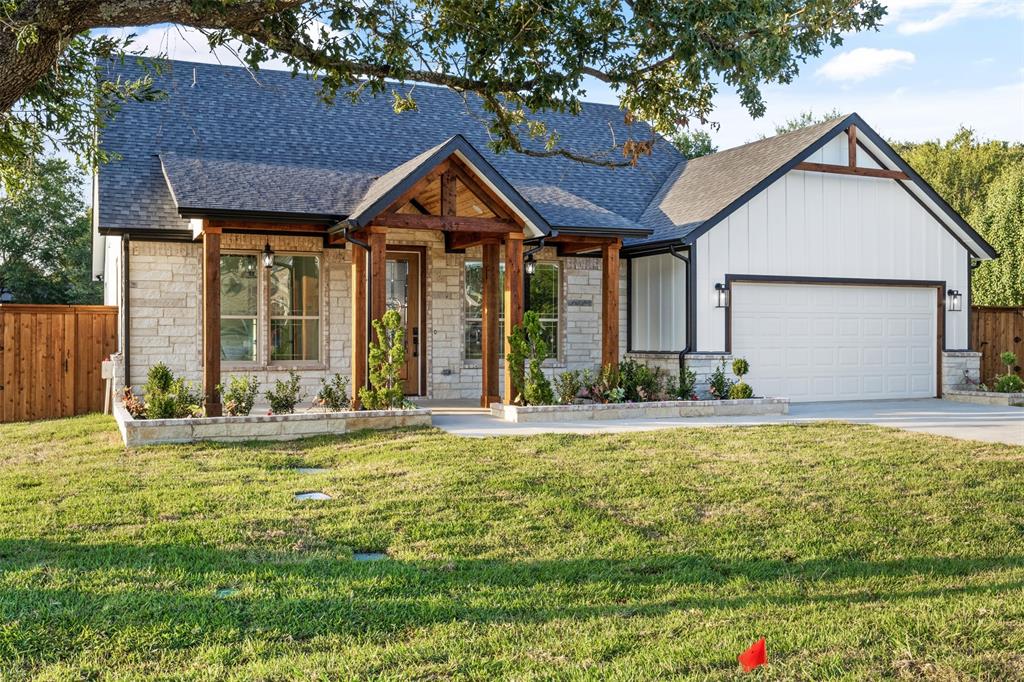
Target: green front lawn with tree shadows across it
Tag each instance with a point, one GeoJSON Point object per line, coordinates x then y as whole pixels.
{"type": "Point", "coordinates": [859, 552]}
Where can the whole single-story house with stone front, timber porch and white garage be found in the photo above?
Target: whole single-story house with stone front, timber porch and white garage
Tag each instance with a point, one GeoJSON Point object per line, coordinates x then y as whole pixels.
{"type": "Point", "coordinates": [246, 228]}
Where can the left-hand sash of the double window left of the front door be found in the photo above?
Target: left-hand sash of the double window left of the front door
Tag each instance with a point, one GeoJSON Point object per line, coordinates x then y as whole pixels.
{"type": "Point", "coordinates": [239, 306]}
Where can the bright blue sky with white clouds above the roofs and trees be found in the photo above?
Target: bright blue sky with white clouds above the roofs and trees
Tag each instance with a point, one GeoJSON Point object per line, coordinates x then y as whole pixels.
{"type": "Point", "coordinates": [933, 67]}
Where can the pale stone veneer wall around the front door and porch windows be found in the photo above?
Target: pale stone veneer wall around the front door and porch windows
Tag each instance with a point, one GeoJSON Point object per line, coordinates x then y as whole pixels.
{"type": "Point", "coordinates": [166, 312]}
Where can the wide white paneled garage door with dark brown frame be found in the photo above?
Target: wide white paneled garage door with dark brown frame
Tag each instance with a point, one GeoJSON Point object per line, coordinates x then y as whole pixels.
{"type": "Point", "coordinates": [827, 343]}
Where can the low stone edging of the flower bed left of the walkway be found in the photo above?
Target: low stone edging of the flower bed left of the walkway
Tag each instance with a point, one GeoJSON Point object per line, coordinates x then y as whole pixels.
{"type": "Point", "coordinates": [263, 428]}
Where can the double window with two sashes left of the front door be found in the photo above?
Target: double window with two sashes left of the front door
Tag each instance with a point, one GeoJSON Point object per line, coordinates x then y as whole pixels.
{"type": "Point", "coordinates": [284, 301]}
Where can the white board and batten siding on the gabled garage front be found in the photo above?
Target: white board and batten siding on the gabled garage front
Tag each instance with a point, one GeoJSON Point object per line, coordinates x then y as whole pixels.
{"type": "Point", "coordinates": [829, 226]}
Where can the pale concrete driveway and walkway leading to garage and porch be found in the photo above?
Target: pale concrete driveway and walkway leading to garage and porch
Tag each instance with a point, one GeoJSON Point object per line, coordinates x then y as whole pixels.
{"type": "Point", "coordinates": [960, 420]}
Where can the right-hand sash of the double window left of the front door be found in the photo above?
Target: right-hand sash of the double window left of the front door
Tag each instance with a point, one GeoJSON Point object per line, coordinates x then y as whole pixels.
{"type": "Point", "coordinates": [295, 309]}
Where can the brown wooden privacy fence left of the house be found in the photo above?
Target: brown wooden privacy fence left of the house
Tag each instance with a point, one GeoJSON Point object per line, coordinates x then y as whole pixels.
{"type": "Point", "coordinates": [51, 357]}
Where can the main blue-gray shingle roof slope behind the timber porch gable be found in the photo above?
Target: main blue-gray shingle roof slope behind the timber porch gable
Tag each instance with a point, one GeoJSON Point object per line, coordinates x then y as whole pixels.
{"type": "Point", "coordinates": [285, 148]}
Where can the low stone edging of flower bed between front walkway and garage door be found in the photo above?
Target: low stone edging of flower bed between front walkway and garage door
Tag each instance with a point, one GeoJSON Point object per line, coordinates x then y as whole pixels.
{"type": "Point", "coordinates": [657, 410]}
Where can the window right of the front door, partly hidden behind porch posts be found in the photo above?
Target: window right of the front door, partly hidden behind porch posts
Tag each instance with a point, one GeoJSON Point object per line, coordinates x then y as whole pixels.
{"type": "Point", "coordinates": [542, 297]}
